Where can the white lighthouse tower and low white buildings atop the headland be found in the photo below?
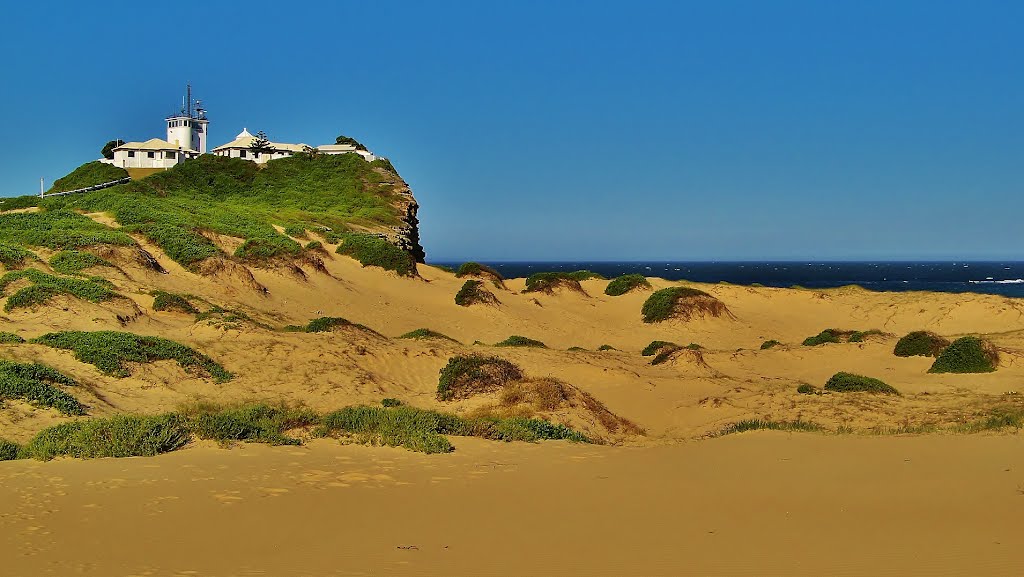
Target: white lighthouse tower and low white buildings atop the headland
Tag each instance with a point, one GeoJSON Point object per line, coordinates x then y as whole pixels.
{"type": "Point", "coordinates": [187, 139]}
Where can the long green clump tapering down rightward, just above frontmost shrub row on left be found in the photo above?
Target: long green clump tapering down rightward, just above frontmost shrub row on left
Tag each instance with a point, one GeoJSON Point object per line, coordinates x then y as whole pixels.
{"type": "Point", "coordinates": [112, 352]}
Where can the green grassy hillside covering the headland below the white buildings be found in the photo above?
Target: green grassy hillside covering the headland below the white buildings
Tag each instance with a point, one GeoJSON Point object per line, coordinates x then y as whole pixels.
{"type": "Point", "coordinates": [331, 195]}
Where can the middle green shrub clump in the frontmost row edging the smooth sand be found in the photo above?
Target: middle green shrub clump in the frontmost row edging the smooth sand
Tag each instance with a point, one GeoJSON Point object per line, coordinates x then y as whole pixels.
{"type": "Point", "coordinates": [254, 424]}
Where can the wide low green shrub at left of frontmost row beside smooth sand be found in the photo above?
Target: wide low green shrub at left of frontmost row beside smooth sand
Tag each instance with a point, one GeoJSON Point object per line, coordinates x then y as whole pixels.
{"type": "Point", "coordinates": [122, 436]}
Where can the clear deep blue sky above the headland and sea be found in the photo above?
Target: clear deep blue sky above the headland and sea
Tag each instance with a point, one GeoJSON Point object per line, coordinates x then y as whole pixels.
{"type": "Point", "coordinates": [577, 131]}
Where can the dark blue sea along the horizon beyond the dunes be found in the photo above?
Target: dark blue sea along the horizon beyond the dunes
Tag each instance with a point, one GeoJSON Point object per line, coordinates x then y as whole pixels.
{"type": "Point", "coordinates": [992, 278]}
